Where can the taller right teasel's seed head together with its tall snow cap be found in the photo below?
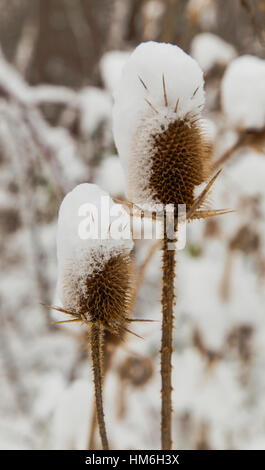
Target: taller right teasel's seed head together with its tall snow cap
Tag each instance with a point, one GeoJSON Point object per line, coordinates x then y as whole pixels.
{"type": "Point", "coordinates": [157, 125]}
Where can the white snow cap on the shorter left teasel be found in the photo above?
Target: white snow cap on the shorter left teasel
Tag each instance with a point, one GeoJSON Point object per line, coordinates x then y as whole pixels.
{"type": "Point", "coordinates": [79, 256]}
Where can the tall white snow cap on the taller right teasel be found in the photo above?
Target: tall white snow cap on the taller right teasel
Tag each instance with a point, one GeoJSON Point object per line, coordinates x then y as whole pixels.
{"type": "Point", "coordinates": [144, 106]}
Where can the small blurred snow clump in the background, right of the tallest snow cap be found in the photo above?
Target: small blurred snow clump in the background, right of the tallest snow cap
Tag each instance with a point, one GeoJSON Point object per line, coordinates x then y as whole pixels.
{"type": "Point", "coordinates": [209, 50]}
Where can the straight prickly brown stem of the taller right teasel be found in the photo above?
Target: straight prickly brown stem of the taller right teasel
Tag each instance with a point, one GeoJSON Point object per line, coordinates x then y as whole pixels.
{"type": "Point", "coordinates": [169, 263]}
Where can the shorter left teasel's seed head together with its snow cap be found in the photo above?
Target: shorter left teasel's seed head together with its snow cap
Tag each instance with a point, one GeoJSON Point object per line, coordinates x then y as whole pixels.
{"type": "Point", "coordinates": [95, 276]}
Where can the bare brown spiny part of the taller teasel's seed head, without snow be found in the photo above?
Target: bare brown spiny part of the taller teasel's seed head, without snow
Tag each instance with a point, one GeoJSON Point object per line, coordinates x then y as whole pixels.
{"type": "Point", "coordinates": [180, 162]}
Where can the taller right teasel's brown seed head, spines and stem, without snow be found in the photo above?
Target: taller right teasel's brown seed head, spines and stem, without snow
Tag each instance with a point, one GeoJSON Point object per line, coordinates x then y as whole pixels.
{"type": "Point", "coordinates": [180, 162]}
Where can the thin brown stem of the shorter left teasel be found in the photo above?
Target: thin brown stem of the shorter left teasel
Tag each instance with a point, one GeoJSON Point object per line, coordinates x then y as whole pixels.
{"type": "Point", "coordinates": [96, 353]}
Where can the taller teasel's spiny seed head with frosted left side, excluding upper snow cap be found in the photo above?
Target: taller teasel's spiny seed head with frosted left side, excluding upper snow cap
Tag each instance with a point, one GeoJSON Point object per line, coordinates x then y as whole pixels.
{"type": "Point", "coordinates": [169, 161]}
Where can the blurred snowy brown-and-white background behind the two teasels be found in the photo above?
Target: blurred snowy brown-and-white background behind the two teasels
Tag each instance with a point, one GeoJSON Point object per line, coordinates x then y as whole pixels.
{"type": "Point", "coordinates": [59, 64]}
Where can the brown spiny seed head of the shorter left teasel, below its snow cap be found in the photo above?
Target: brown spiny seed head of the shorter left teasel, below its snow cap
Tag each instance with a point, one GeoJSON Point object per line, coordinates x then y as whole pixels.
{"type": "Point", "coordinates": [105, 295]}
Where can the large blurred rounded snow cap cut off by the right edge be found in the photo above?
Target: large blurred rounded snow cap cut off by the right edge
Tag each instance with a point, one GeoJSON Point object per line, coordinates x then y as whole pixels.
{"type": "Point", "coordinates": [243, 92]}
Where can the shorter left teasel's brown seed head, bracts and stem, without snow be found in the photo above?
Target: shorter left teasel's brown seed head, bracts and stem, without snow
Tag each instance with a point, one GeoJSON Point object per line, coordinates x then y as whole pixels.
{"type": "Point", "coordinates": [106, 307]}
